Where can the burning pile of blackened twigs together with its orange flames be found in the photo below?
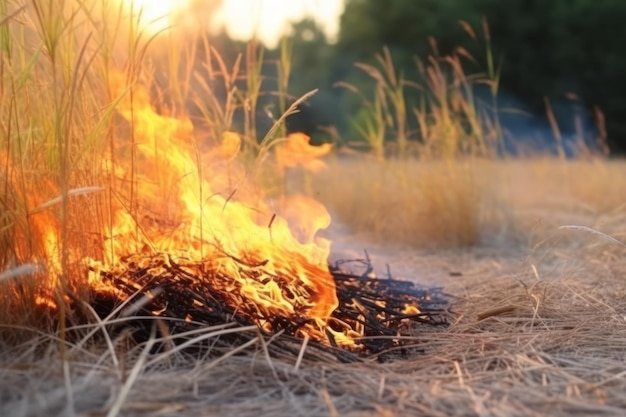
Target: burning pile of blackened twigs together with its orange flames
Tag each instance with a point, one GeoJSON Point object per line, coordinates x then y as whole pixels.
{"type": "Point", "coordinates": [195, 246]}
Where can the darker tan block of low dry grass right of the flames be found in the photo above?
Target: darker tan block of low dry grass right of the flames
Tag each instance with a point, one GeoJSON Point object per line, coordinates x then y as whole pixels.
{"type": "Point", "coordinates": [404, 201]}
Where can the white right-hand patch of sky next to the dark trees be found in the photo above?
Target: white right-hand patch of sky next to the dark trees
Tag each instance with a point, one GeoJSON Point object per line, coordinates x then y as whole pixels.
{"type": "Point", "coordinates": [271, 18]}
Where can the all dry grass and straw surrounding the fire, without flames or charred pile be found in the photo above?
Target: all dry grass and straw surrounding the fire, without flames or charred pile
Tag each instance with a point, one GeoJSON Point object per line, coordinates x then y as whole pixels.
{"type": "Point", "coordinates": [552, 336]}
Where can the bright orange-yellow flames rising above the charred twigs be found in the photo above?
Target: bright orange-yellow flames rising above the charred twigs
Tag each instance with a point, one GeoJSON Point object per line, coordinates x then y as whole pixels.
{"type": "Point", "coordinates": [193, 215]}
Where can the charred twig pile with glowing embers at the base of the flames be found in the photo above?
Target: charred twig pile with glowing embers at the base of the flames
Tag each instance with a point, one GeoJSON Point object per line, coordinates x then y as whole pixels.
{"type": "Point", "coordinates": [370, 315]}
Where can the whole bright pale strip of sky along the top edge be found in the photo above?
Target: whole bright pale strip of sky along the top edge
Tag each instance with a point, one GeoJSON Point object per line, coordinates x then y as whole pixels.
{"type": "Point", "coordinates": [241, 18]}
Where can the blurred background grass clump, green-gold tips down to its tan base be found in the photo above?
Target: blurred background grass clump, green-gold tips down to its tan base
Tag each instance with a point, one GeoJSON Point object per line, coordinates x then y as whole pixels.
{"type": "Point", "coordinates": [438, 201]}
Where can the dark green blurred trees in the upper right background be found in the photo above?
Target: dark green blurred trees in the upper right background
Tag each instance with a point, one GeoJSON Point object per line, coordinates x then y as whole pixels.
{"type": "Point", "coordinates": [567, 51]}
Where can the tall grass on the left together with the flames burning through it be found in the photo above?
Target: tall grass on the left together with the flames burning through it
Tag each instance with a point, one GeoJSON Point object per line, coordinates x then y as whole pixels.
{"type": "Point", "coordinates": [164, 197]}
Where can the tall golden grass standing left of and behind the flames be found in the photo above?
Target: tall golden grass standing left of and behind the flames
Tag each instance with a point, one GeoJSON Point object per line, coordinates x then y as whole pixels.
{"type": "Point", "coordinates": [59, 127]}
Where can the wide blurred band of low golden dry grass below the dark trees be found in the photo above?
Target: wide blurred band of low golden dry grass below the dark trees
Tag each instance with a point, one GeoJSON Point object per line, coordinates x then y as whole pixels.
{"type": "Point", "coordinates": [439, 203]}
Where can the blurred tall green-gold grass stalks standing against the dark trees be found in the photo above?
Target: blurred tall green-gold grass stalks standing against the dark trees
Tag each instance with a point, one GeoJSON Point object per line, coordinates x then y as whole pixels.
{"type": "Point", "coordinates": [451, 119]}
